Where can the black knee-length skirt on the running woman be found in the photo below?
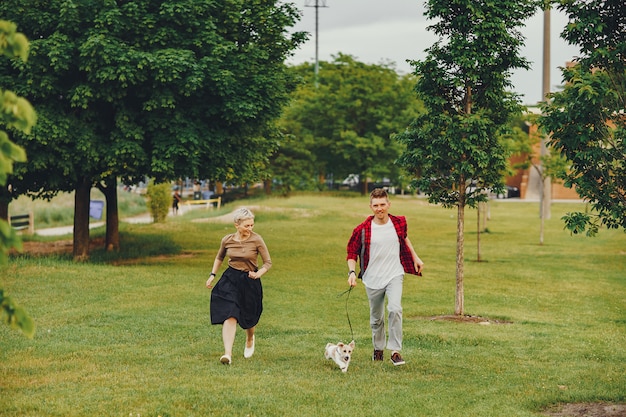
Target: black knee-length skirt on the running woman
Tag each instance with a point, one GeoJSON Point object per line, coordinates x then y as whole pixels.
{"type": "Point", "coordinates": [239, 296]}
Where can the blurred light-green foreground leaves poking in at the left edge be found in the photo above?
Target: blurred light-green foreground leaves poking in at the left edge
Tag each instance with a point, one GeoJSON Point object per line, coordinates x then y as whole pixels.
{"type": "Point", "coordinates": [15, 113]}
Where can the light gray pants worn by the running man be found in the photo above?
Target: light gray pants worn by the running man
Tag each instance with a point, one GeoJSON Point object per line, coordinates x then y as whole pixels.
{"type": "Point", "coordinates": [393, 291]}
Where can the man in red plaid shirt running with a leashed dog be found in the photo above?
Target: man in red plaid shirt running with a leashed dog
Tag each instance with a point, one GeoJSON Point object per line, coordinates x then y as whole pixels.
{"type": "Point", "coordinates": [385, 254]}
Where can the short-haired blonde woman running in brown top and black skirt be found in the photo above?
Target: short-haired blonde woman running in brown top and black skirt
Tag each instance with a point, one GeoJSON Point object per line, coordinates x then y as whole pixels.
{"type": "Point", "coordinates": [237, 299]}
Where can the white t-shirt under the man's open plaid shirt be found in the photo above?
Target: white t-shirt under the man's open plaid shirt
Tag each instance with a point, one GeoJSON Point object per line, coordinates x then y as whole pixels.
{"type": "Point", "coordinates": [384, 263]}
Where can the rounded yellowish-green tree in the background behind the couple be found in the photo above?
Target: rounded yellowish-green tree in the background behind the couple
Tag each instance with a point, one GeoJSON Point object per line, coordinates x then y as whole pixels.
{"type": "Point", "coordinates": [348, 119]}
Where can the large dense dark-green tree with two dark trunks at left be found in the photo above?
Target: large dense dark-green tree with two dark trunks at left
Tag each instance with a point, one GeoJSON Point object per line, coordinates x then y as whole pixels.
{"type": "Point", "coordinates": [164, 89]}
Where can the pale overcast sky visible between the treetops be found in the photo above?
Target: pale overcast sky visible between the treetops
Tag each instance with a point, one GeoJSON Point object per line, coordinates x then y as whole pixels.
{"type": "Point", "coordinates": [375, 31]}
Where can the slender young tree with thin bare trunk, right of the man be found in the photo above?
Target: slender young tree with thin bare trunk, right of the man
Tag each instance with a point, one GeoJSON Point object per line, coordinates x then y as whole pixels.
{"type": "Point", "coordinates": [454, 149]}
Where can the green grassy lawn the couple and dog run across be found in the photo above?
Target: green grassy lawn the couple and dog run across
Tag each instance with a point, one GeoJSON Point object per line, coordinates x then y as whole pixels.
{"type": "Point", "coordinates": [130, 335]}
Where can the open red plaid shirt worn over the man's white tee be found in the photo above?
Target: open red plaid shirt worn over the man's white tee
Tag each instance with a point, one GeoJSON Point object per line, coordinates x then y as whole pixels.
{"type": "Point", "coordinates": [359, 244]}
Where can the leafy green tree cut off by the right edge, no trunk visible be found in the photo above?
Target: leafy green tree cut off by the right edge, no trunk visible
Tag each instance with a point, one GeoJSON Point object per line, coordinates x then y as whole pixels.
{"type": "Point", "coordinates": [586, 120]}
